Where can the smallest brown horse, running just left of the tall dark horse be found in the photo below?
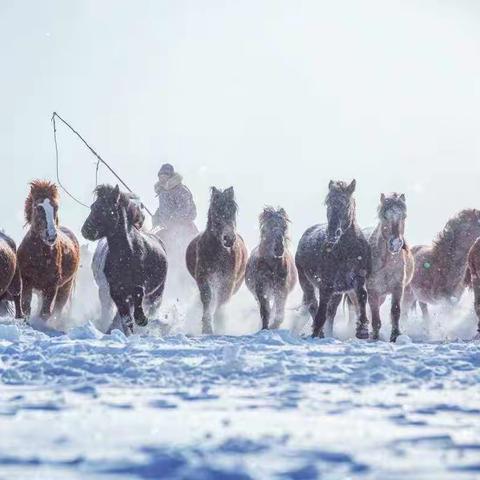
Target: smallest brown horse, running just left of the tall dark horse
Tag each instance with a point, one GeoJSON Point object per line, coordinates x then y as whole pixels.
{"type": "Point", "coordinates": [271, 273]}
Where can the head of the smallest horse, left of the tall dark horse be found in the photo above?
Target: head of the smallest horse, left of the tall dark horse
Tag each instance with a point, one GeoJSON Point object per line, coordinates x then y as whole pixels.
{"type": "Point", "coordinates": [273, 232]}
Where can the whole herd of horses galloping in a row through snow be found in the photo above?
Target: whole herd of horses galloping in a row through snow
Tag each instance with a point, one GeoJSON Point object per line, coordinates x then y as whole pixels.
{"type": "Point", "coordinates": [334, 261]}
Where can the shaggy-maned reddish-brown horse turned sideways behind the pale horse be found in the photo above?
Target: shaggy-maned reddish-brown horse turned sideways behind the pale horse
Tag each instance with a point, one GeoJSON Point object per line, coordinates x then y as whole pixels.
{"type": "Point", "coordinates": [440, 268]}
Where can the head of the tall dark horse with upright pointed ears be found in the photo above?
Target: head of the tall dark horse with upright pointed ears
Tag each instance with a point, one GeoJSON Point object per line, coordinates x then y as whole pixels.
{"type": "Point", "coordinates": [340, 209]}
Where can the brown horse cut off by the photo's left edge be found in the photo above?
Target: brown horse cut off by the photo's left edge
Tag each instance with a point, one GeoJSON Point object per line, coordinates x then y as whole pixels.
{"type": "Point", "coordinates": [10, 279]}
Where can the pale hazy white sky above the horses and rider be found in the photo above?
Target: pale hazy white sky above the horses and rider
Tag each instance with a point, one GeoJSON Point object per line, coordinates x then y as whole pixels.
{"type": "Point", "coordinates": [273, 97]}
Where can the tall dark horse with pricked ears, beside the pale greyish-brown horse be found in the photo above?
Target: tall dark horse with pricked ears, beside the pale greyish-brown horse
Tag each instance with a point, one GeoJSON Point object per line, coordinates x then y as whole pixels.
{"type": "Point", "coordinates": [334, 259]}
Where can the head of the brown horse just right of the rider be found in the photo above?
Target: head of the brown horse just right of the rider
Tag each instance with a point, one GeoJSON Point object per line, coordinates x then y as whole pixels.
{"type": "Point", "coordinates": [222, 216]}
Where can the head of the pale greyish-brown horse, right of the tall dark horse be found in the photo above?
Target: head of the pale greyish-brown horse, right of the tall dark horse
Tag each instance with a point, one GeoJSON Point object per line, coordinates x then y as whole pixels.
{"type": "Point", "coordinates": [392, 213]}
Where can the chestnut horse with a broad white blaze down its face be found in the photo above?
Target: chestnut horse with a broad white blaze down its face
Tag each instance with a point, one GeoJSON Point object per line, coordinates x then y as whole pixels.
{"type": "Point", "coordinates": [49, 255]}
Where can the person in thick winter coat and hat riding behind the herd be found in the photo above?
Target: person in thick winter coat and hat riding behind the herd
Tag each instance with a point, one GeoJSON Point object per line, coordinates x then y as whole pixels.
{"type": "Point", "coordinates": [175, 201]}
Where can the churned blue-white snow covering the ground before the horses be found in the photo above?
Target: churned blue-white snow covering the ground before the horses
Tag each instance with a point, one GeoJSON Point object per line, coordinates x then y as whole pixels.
{"type": "Point", "coordinates": [262, 405]}
